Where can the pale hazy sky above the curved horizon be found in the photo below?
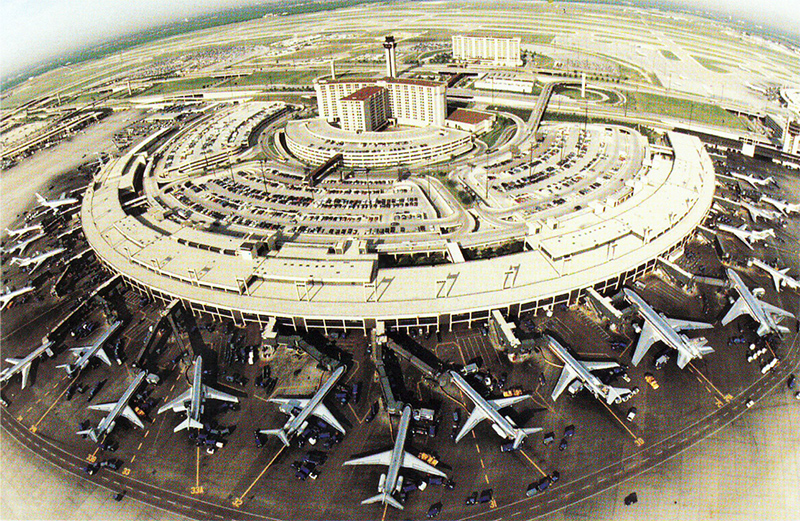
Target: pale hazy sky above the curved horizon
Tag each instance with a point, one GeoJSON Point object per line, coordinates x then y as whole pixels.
{"type": "Point", "coordinates": [32, 31]}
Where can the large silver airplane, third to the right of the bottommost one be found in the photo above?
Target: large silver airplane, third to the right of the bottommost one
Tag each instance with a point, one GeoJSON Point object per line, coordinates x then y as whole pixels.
{"type": "Point", "coordinates": [658, 327]}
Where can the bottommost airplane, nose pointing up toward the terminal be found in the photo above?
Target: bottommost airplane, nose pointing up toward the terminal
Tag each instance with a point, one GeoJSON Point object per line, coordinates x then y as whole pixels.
{"type": "Point", "coordinates": [392, 481]}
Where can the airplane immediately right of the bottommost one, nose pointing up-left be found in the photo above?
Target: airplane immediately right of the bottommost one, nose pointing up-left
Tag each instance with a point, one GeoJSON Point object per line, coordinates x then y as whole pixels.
{"type": "Point", "coordinates": [490, 409]}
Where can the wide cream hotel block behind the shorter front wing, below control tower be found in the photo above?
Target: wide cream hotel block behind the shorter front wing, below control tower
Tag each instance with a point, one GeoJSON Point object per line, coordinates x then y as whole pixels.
{"type": "Point", "coordinates": [409, 102]}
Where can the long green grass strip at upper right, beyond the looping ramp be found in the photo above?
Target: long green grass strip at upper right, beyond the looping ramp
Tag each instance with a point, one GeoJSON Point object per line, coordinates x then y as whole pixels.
{"type": "Point", "coordinates": [683, 109]}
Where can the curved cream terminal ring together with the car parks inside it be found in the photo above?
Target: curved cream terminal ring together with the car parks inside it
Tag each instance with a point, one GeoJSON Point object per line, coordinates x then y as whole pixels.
{"type": "Point", "coordinates": [189, 215]}
